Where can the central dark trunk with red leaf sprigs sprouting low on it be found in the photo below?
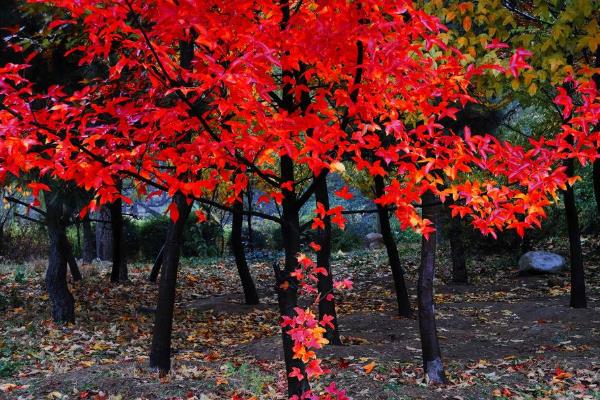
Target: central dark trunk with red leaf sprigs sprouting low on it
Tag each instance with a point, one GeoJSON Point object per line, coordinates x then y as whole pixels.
{"type": "Point", "coordinates": [288, 297]}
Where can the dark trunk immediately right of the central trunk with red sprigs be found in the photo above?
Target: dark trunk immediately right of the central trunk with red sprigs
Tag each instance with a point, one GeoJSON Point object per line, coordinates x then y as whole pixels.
{"type": "Point", "coordinates": [325, 282]}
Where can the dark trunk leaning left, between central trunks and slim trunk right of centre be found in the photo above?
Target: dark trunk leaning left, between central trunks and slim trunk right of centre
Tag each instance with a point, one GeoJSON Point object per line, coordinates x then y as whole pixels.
{"type": "Point", "coordinates": [402, 298]}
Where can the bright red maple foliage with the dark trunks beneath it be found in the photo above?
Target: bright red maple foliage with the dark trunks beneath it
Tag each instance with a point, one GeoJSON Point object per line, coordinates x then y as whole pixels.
{"type": "Point", "coordinates": [199, 95]}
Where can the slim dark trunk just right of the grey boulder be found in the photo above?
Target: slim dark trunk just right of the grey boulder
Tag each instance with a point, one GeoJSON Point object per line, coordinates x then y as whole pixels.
{"type": "Point", "coordinates": [578, 297]}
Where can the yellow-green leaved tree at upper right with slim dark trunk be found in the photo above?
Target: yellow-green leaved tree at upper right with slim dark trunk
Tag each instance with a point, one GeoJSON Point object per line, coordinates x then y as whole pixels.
{"type": "Point", "coordinates": [562, 38]}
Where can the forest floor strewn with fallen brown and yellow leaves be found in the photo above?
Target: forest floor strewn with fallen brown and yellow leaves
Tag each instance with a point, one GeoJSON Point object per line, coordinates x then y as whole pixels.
{"type": "Point", "coordinates": [503, 336]}
